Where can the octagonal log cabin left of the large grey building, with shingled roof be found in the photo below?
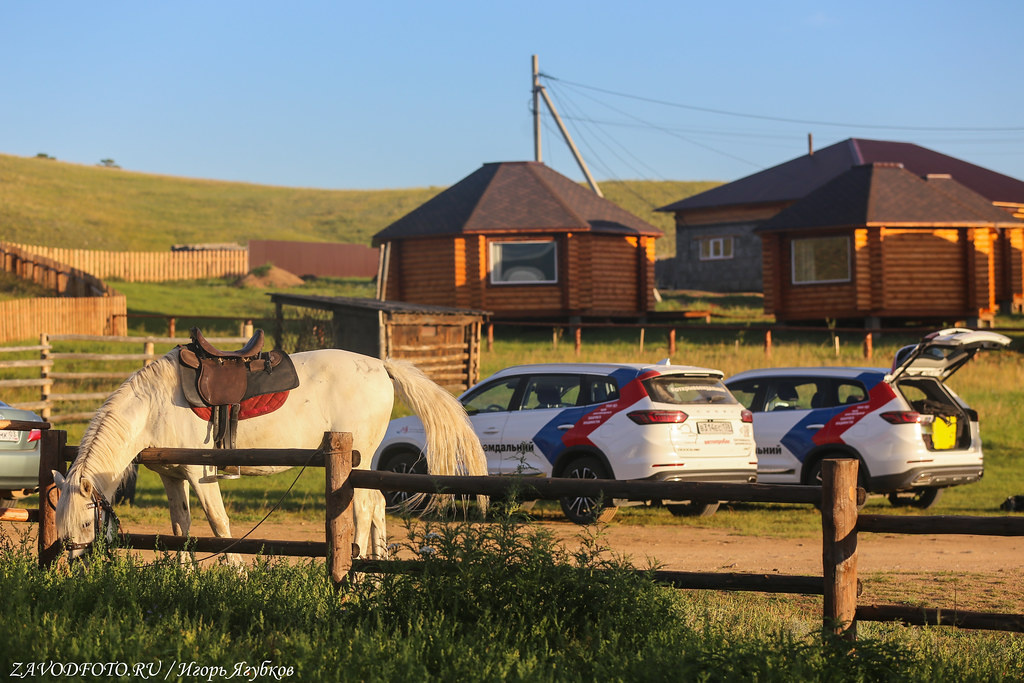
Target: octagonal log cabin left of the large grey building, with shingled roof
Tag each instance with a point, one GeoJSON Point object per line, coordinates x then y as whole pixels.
{"type": "Point", "coordinates": [522, 242]}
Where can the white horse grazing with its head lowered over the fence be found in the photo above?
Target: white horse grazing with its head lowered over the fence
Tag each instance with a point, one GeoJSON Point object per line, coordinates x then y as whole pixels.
{"type": "Point", "coordinates": [338, 392]}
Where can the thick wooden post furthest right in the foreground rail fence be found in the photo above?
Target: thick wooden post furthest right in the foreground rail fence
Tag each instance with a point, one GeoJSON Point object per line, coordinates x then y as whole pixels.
{"type": "Point", "coordinates": [839, 546]}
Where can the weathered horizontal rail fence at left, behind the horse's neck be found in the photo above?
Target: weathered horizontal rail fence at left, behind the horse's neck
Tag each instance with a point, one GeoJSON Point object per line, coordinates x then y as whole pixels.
{"type": "Point", "coordinates": [73, 373]}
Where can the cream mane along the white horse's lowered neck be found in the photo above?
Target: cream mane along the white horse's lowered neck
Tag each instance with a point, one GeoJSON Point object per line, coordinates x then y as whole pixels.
{"type": "Point", "coordinates": [102, 452]}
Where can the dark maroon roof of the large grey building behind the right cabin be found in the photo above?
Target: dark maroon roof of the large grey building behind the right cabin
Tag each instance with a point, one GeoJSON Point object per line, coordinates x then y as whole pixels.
{"type": "Point", "coordinates": [798, 178]}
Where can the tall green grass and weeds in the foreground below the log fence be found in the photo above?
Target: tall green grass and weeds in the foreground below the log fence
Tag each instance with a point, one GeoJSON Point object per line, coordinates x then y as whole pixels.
{"type": "Point", "coordinates": [501, 602]}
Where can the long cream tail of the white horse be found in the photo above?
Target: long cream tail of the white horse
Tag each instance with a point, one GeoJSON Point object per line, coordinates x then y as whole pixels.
{"type": "Point", "coordinates": [452, 446]}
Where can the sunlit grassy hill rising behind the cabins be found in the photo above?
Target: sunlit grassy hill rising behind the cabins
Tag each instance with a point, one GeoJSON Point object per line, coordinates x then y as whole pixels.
{"type": "Point", "coordinates": [52, 203]}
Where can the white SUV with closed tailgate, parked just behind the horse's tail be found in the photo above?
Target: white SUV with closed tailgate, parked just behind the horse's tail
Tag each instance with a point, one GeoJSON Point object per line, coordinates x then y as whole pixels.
{"type": "Point", "coordinates": [606, 421]}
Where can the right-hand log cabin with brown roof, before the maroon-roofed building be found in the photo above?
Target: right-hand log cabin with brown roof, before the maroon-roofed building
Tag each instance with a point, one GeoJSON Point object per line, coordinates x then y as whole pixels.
{"type": "Point", "coordinates": [879, 242]}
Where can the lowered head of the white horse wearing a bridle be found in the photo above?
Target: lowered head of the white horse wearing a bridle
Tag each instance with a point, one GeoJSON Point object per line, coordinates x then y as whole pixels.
{"type": "Point", "coordinates": [82, 510]}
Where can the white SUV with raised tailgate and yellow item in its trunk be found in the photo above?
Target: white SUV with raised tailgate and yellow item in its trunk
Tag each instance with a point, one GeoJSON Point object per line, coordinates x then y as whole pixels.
{"type": "Point", "coordinates": [912, 434]}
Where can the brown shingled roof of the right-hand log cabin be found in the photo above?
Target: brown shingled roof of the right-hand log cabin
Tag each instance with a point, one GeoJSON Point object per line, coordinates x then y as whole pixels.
{"type": "Point", "coordinates": [889, 194]}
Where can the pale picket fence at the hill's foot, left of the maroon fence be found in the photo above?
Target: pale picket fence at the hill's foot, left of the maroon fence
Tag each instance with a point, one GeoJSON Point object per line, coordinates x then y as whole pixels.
{"type": "Point", "coordinates": [148, 267]}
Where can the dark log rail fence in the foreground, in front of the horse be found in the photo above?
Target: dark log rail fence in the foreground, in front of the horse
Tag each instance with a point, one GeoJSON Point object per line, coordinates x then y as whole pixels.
{"type": "Point", "coordinates": [839, 498]}
